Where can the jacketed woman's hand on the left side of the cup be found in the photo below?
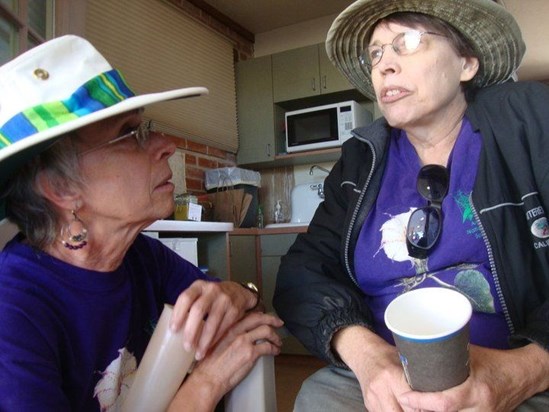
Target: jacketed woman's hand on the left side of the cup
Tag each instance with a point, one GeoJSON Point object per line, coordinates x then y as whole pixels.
{"type": "Point", "coordinates": [376, 365]}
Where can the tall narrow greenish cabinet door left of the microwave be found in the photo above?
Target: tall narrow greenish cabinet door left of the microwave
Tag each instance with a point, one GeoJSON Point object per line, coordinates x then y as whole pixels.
{"type": "Point", "coordinates": [255, 111]}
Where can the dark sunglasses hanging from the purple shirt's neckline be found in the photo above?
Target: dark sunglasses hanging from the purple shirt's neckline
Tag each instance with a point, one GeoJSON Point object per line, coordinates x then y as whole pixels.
{"type": "Point", "coordinates": [425, 223]}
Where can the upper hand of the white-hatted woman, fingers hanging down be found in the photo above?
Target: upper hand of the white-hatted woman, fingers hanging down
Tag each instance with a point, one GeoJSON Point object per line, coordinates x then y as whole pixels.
{"type": "Point", "coordinates": [206, 310]}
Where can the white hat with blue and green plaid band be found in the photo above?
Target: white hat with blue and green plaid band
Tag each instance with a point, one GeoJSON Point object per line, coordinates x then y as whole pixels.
{"type": "Point", "coordinates": [58, 87]}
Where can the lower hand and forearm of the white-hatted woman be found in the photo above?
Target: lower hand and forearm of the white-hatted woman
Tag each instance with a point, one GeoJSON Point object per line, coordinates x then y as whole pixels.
{"type": "Point", "coordinates": [228, 362]}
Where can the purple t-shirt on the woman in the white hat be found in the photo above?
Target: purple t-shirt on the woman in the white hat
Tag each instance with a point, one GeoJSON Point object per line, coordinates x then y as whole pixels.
{"type": "Point", "coordinates": [71, 338]}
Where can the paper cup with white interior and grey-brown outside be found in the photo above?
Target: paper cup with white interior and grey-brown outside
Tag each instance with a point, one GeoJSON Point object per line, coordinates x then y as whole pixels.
{"type": "Point", "coordinates": [431, 331]}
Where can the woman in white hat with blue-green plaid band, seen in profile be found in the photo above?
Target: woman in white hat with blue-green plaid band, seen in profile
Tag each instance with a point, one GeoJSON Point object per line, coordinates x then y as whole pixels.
{"type": "Point", "coordinates": [81, 174]}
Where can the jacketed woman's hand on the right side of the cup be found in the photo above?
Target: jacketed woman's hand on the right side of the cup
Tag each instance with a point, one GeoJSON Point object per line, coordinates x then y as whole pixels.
{"type": "Point", "coordinates": [500, 380]}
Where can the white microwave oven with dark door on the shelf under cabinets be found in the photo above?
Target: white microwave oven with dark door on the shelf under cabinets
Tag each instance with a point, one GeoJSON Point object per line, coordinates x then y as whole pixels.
{"type": "Point", "coordinates": [323, 126]}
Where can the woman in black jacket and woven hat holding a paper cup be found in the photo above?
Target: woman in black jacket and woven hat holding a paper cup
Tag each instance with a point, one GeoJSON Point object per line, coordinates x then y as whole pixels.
{"type": "Point", "coordinates": [450, 188]}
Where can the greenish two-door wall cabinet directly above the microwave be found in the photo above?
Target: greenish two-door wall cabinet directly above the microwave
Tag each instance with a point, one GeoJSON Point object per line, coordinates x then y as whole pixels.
{"type": "Point", "coordinates": [305, 72]}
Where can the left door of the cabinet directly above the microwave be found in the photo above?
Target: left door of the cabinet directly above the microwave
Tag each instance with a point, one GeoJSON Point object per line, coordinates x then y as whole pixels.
{"type": "Point", "coordinates": [296, 74]}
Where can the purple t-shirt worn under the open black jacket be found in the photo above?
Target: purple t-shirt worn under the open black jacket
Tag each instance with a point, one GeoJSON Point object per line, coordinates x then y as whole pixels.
{"type": "Point", "coordinates": [459, 260]}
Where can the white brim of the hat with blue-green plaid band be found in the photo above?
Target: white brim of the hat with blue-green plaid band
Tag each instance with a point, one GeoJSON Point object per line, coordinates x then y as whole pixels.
{"type": "Point", "coordinates": [17, 154]}
